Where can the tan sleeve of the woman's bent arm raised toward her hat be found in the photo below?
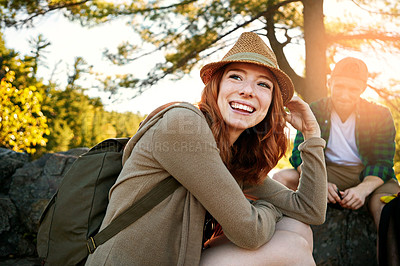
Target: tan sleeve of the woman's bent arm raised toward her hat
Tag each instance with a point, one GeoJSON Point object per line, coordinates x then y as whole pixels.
{"type": "Point", "coordinates": [308, 203]}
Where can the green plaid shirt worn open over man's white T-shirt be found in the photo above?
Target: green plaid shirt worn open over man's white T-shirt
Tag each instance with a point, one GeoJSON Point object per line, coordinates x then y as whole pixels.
{"type": "Point", "coordinates": [375, 133]}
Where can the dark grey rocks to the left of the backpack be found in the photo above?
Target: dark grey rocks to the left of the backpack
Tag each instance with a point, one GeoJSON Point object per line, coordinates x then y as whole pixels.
{"type": "Point", "coordinates": [29, 186]}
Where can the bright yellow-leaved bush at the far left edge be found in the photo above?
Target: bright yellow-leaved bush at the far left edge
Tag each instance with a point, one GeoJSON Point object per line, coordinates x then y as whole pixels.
{"type": "Point", "coordinates": [23, 124]}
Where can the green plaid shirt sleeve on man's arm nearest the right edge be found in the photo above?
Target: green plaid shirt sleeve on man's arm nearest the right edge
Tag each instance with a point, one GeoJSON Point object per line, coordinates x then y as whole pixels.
{"type": "Point", "coordinates": [383, 146]}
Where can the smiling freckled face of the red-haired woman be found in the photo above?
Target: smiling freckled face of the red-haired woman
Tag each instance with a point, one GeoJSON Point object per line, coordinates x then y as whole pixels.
{"type": "Point", "coordinates": [245, 95]}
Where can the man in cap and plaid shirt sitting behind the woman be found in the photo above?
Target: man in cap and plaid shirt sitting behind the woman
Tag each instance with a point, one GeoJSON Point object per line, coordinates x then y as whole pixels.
{"type": "Point", "coordinates": [360, 143]}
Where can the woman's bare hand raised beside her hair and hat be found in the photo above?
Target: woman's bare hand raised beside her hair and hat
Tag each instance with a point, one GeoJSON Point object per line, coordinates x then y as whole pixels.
{"type": "Point", "coordinates": [302, 118]}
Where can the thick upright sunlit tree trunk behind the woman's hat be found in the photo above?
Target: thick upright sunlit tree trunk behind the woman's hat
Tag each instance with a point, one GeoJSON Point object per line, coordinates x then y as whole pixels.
{"type": "Point", "coordinates": [315, 43]}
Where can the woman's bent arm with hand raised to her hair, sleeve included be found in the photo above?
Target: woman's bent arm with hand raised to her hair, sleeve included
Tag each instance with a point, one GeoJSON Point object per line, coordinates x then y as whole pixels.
{"type": "Point", "coordinates": [308, 203]}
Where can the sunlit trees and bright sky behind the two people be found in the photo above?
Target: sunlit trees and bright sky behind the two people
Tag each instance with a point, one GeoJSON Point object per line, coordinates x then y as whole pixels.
{"type": "Point", "coordinates": [76, 72]}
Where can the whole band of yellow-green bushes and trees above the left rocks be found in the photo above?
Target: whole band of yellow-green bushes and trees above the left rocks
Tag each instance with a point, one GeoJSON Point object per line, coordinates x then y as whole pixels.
{"type": "Point", "coordinates": [37, 118]}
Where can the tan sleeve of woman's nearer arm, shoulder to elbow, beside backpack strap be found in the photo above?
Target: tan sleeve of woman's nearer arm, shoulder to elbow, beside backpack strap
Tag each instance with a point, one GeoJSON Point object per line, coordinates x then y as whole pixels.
{"type": "Point", "coordinates": [184, 146]}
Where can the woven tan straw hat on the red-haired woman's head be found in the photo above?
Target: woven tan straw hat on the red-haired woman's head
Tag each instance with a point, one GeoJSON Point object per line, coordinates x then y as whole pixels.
{"type": "Point", "coordinates": [250, 48]}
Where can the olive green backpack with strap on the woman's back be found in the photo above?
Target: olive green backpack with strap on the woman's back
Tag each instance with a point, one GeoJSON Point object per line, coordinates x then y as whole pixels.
{"type": "Point", "coordinates": [69, 225]}
